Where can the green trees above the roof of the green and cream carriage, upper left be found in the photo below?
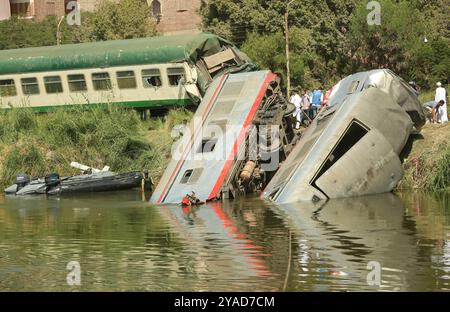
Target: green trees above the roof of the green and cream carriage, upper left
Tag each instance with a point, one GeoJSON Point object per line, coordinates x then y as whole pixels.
{"type": "Point", "coordinates": [124, 19]}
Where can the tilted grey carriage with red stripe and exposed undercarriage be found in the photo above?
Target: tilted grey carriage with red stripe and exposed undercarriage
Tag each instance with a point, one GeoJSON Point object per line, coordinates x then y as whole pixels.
{"type": "Point", "coordinates": [219, 153]}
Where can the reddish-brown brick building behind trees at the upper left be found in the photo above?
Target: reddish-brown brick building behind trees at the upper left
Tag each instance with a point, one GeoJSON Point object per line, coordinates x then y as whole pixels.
{"type": "Point", "coordinates": [172, 16]}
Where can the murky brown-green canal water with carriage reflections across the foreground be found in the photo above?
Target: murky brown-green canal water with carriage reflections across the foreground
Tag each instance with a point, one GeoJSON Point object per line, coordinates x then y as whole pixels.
{"type": "Point", "coordinates": [123, 243]}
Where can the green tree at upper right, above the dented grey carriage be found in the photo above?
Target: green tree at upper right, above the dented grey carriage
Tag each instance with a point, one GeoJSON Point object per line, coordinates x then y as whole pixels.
{"type": "Point", "coordinates": [399, 42]}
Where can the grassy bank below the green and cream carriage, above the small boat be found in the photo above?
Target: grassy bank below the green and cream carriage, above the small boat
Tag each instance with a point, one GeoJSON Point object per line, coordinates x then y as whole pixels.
{"type": "Point", "coordinates": [40, 144]}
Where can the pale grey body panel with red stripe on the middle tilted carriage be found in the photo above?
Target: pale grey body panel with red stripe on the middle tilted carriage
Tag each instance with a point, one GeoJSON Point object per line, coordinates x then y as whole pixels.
{"type": "Point", "coordinates": [228, 106]}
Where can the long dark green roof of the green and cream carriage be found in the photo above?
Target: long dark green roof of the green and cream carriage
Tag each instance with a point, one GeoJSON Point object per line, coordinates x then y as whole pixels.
{"type": "Point", "coordinates": [150, 50]}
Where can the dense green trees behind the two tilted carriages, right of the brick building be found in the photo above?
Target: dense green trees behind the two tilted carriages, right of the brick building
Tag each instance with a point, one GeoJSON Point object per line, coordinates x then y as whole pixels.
{"type": "Point", "coordinates": [338, 39]}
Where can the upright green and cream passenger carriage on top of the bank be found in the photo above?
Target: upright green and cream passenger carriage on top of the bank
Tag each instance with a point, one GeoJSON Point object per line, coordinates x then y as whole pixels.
{"type": "Point", "coordinates": [155, 72]}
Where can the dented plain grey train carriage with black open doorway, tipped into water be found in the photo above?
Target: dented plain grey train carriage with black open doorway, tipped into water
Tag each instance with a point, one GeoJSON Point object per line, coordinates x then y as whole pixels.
{"type": "Point", "coordinates": [352, 148]}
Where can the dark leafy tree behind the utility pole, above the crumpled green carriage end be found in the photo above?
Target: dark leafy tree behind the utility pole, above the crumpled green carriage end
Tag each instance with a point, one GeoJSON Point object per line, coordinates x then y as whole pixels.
{"type": "Point", "coordinates": [326, 22]}
